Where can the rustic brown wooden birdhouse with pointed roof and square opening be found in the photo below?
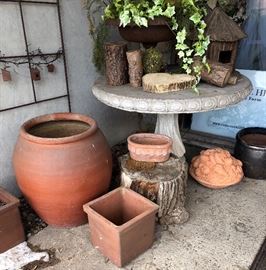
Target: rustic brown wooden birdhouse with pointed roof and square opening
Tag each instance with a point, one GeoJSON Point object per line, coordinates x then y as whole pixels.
{"type": "Point", "coordinates": [224, 36]}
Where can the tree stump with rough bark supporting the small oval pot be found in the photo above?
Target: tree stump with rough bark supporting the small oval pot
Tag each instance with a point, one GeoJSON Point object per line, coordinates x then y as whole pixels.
{"type": "Point", "coordinates": [164, 183]}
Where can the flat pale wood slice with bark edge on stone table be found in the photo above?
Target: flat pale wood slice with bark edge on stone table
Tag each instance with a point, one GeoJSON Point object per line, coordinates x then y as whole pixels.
{"type": "Point", "coordinates": [165, 82]}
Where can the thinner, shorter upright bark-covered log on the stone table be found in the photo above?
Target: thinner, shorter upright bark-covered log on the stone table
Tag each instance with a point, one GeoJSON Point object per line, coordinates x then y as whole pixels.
{"type": "Point", "coordinates": [135, 67]}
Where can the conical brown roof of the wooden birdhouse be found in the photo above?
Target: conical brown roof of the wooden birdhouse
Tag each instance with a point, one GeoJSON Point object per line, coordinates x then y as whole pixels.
{"type": "Point", "coordinates": [220, 27]}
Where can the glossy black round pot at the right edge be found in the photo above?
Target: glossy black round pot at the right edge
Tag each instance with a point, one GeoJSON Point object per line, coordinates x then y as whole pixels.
{"type": "Point", "coordinates": [250, 148]}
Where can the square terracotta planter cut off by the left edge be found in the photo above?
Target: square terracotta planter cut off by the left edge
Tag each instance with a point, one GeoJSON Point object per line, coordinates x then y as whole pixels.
{"type": "Point", "coordinates": [11, 228]}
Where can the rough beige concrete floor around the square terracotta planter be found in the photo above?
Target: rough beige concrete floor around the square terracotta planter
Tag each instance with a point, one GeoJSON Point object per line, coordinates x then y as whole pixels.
{"type": "Point", "coordinates": [225, 230]}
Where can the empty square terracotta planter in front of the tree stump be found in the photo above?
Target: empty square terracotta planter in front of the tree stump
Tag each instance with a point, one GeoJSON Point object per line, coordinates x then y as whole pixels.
{"type": "Point", "coordinates": [121, 224]}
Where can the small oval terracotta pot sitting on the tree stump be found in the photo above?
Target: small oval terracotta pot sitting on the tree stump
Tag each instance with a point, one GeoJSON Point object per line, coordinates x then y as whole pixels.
{"type": "Point", "coordinates": [149, 147]}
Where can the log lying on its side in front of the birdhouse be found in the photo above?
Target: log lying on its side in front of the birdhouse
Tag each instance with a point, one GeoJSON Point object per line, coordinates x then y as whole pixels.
{"type": "Point", "coordinates": [219, 74]}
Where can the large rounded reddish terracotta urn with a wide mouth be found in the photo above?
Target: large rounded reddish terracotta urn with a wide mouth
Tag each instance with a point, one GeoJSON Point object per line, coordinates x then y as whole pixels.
{"type": "Point", "coordinates": [62, 161]}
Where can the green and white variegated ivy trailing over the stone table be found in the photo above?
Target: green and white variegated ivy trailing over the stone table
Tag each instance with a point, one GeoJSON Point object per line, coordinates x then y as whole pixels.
{"type": "Point", "coordinates": [140, 12]}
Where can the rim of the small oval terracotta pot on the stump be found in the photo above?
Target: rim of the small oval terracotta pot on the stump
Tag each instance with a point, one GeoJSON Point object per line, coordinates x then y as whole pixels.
{"type": "Point", "coordinates": [165, 141]}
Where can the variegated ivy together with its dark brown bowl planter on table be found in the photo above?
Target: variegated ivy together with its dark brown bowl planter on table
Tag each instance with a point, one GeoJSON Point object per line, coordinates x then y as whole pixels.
{"type": "Point", "coordinates": [177, 18]}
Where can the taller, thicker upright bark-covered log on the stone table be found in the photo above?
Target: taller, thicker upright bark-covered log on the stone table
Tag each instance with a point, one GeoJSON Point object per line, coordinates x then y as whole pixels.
{"type": "Point", "coordinates": [115, 63]}
